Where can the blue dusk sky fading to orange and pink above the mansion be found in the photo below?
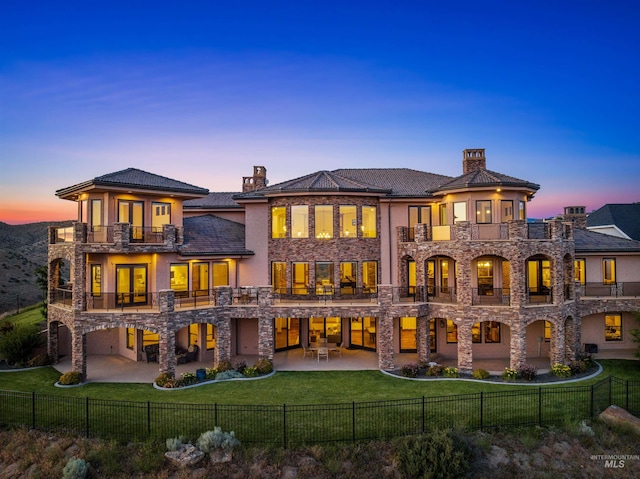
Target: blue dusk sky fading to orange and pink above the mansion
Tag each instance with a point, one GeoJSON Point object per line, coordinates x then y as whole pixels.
{"type": "Point", "coordinates": [203, 91]}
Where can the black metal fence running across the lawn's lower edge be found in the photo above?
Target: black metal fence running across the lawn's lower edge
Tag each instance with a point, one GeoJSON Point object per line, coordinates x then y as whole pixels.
{"type": "Point", "coordinates": [290, 425]}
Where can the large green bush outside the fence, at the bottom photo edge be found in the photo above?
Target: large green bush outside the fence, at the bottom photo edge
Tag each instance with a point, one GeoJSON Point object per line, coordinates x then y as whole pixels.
{"type": "Point", "coordinates": [441, 454]}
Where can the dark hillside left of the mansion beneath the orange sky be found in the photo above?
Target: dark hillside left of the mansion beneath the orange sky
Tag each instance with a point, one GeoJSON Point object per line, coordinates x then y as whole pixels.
{"type": "Point", "coordinates": [23, 248]}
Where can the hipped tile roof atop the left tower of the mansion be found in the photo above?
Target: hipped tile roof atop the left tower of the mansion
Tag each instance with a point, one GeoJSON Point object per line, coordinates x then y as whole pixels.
{"type": "Point", "coordinates": [138, 179]}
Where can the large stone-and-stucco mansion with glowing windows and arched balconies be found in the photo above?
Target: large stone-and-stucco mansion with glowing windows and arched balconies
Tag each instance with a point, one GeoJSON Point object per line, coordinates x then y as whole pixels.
{"type": "Point", "coordinates": [388, 260]}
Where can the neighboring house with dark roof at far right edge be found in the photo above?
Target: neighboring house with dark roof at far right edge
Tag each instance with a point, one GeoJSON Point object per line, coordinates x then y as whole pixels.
{"type": "Point", "coordinates": [621, 220]}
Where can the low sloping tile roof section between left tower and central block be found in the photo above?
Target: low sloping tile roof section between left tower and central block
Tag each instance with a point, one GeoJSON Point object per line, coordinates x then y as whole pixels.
{"type": "Point", "coordinates": [212, 235]}
